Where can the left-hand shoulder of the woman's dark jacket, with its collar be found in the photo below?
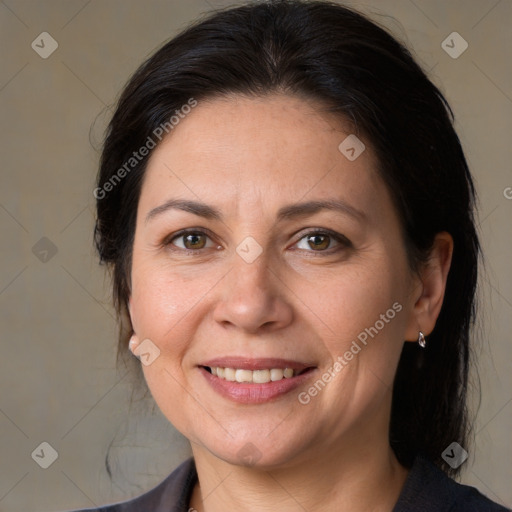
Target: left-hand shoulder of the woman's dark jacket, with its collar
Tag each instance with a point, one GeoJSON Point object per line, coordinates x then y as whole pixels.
{"type": "Point", "coordinates": [171, 495]}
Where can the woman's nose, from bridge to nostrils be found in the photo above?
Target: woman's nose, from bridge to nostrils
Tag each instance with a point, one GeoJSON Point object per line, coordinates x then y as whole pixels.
{"type": "Point", "coordinates": [253, 298]}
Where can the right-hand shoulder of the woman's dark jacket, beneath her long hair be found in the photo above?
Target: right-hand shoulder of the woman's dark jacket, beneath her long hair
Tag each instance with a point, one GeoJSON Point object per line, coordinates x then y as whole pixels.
{"type": "Point", "coordinates": [428, 489]}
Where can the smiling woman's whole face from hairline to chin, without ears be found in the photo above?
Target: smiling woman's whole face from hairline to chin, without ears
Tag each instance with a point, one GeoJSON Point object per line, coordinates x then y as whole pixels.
{"type": "Point", "coordinates": [246, 270]}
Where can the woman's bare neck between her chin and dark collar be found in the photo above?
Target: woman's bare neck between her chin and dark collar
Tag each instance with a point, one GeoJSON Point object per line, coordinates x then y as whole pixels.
{"type": "Point", "coordinates": [360, 477]}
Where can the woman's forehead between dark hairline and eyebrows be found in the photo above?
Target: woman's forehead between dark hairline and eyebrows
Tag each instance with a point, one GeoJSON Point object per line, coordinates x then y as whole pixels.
{"type": "Point", "coordinates": [260, 151]}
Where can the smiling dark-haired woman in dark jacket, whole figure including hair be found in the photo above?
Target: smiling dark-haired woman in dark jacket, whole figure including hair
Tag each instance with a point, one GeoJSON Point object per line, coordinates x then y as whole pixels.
{"type": "Point", "coordinates": [288, 215]}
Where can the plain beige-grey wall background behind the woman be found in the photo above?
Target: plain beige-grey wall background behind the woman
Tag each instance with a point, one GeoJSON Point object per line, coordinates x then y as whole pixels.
{"type": "Point", "coordinates": [57, 377]}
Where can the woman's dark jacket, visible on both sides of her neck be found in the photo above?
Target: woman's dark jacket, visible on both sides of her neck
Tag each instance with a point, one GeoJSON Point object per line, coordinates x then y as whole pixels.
{"type": "Point", "coordinates": [427, 489]}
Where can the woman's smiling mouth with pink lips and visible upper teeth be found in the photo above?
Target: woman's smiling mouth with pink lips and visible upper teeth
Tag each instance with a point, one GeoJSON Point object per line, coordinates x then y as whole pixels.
{"type": "Point", "coordinates": [254, 380]}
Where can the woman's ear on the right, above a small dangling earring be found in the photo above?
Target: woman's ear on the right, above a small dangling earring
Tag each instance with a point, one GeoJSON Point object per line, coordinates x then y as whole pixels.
{"type": "Point", "coordinates": [429, 293]}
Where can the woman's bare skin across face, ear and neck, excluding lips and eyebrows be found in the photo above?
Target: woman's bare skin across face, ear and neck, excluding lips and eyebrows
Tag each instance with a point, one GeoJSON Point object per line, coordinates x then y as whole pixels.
{"type": "Point", "coordinates": [248, 157]}
